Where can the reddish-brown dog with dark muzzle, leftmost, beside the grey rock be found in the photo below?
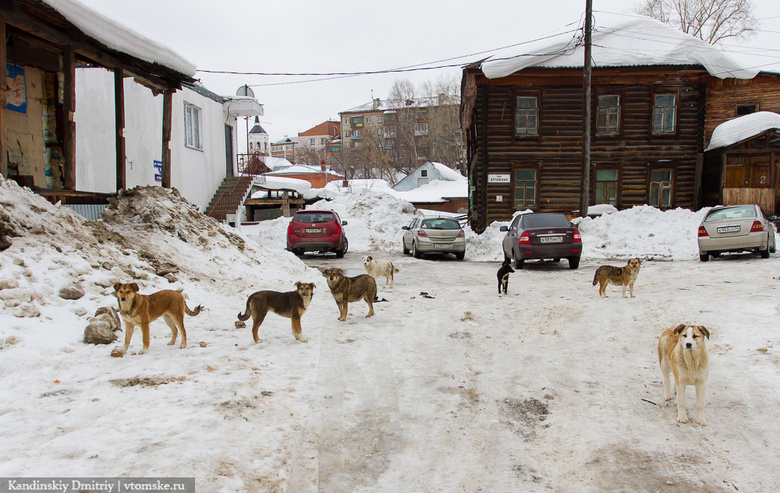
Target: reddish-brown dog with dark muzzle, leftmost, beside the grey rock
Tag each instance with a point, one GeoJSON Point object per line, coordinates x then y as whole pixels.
{"type": "Point", "coordinates": [141, 309]}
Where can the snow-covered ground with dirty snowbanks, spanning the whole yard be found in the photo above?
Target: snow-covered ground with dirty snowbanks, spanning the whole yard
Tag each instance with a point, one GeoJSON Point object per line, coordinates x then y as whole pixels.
{"type": "Point", "coordinates": [546, 389]}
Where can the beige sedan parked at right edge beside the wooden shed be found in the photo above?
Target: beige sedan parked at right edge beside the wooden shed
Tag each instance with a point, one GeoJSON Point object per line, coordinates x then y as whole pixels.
{"type": "Point", "coordinates": [736, 228]}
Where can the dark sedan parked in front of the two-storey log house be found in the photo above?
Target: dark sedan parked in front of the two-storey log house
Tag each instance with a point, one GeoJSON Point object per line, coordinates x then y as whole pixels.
{"type": "Point", "coordinates": [542, 235]}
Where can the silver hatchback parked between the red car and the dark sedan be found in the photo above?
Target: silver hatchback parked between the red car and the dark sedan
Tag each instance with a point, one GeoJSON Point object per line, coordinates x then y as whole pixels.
{"type": "Point", "coordinates": [426, 235]}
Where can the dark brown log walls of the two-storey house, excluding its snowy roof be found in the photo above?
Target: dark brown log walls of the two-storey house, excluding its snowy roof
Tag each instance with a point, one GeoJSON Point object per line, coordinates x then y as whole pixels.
{"type": "Point", "coordinates": [630, 155]}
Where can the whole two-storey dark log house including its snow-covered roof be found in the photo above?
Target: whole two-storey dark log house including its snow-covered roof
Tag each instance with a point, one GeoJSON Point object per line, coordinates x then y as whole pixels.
{"type": "Point", "coordinates": [524, 134]}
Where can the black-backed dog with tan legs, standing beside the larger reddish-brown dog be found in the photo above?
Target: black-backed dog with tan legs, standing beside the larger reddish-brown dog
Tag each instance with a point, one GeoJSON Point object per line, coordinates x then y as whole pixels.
{"type": "Point", "coordinates": [291, 305]}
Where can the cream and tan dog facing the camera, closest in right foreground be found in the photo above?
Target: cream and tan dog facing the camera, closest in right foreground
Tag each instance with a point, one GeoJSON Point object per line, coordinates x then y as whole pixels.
{"type": "Point", "coordinates": [683, 351]}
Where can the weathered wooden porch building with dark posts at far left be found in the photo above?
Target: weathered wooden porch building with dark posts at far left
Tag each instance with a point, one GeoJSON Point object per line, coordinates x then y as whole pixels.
{"type": "Point", "coordinates": [42, 48]}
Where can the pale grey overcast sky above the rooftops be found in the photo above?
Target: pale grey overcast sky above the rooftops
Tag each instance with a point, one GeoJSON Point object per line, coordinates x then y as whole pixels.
{"type": "Point", "coordinates": [317, 36]}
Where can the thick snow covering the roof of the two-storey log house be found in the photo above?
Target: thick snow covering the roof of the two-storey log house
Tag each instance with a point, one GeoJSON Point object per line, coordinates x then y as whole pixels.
{"type": "Point", "coordinates": [620, 41]}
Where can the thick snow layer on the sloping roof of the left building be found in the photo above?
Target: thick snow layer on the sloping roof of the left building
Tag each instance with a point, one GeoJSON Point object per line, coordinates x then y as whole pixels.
{"type": "Point", "coordinates": [119, 37]}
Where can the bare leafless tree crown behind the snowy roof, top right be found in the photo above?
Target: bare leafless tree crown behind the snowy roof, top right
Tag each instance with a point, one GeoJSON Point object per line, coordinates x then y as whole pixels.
{"type": "Point", "coordinates": [710, 20]}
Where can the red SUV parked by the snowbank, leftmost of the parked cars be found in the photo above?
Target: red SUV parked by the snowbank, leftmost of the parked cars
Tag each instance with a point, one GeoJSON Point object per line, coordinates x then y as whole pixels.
{"type": "Point", "coordinates": [317, 231]}
